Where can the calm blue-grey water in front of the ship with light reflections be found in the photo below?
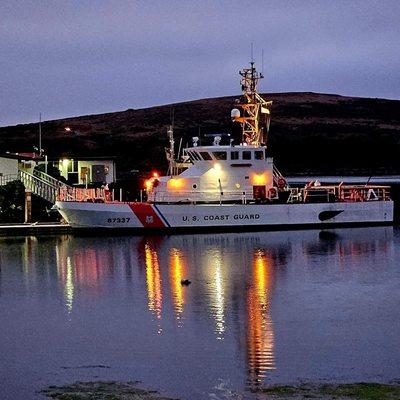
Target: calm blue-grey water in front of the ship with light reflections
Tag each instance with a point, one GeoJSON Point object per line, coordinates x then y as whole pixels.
{"type": "Point", "coordinates": [261, 308]}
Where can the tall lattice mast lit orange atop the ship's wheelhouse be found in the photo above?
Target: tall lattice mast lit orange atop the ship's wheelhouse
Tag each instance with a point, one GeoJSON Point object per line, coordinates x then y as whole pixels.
{"type": "Point", "coordinates": [255, 110]}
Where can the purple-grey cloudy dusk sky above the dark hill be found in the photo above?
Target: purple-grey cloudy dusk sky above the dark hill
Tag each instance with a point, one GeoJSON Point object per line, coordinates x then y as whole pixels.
{"type": "Point", "coordinates": [70, 58]}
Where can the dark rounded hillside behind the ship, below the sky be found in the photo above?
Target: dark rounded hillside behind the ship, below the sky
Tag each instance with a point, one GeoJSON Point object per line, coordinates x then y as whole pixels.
{"type": "Point", "coordinates": [310, 133]}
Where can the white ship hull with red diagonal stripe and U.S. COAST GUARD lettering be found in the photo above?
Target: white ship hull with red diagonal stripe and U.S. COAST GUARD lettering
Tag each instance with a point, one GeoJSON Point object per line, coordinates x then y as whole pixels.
{"type": "Point", "coordinates": [167, 217]}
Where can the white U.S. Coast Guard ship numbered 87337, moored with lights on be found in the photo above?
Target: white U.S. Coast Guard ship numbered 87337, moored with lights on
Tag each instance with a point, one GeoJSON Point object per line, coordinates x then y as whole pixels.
{"type": "Point", "coordinates": [228, 182]}
